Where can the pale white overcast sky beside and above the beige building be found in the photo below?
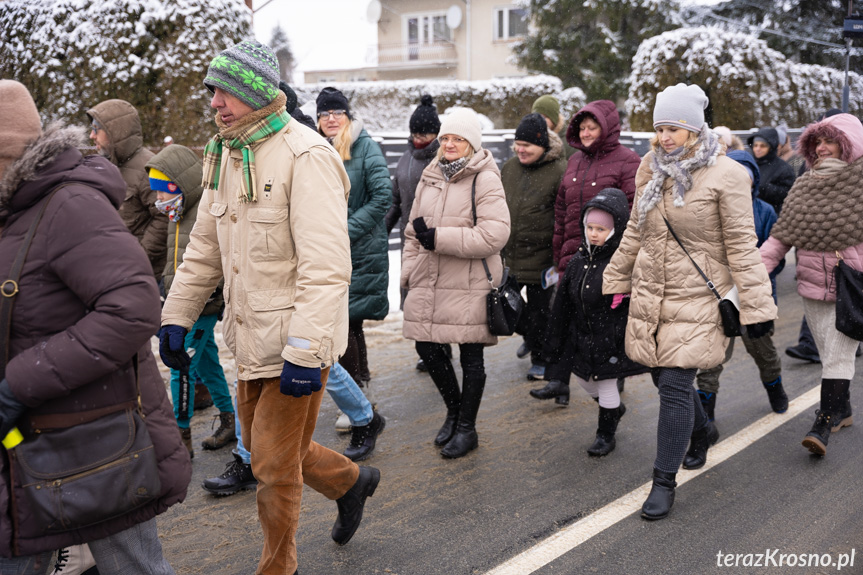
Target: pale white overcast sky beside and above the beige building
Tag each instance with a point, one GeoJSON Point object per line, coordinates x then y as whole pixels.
{"type": "Point", "coordinates": [326, 34]}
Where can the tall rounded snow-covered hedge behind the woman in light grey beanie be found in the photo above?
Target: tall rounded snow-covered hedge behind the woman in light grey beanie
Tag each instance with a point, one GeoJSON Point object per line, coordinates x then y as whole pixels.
{"type": "Point", "coordinates": [748, 83]}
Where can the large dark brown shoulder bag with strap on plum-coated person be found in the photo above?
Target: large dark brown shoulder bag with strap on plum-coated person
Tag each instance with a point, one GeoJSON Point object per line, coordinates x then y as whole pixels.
{"type": "Point", "coordinates": [73, 470]}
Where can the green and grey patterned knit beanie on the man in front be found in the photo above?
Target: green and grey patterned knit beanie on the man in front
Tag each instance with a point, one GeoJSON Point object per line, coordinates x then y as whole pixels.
{"type": "Point", "coordinates": [248, 71]}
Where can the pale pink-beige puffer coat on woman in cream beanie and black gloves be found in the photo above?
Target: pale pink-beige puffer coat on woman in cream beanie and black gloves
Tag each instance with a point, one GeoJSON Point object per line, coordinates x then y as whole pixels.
{"type": "Point", "coordinates": [447, 287]}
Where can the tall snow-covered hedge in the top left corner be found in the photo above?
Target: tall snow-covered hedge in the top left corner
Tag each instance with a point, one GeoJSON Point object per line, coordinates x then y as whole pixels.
{"type": "Point", "coordinates": [72, 54]}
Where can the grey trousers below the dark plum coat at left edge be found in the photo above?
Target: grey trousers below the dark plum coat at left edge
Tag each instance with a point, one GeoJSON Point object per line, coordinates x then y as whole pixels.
{"type": "Point", "coordinates": [135, 550]}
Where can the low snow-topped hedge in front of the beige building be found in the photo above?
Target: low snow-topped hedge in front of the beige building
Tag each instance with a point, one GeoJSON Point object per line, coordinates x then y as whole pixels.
{"type": "Point", "coordinates": [387, 106]}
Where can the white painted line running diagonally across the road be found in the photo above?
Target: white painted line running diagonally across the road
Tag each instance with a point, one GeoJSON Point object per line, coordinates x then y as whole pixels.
{"type": "Point", "coordinates": [574, 535]}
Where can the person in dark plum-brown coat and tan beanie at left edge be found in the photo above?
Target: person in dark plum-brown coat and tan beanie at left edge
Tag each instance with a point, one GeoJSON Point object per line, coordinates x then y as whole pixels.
{"type": "Point", "coordinates": [77, 360]}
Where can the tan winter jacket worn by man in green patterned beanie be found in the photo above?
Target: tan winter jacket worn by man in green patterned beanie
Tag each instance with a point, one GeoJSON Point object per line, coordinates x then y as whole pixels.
{"type": "Point", "coordinates": [286, 257]}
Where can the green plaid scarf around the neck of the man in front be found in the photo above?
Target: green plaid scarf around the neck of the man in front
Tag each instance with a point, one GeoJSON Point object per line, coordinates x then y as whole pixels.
{"type": "Point", "coordinates": [256, 132]}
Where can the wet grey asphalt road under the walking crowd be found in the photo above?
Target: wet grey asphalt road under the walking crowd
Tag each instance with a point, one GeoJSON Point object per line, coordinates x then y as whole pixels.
{"type": "Point", "coordinates": [531, 476]}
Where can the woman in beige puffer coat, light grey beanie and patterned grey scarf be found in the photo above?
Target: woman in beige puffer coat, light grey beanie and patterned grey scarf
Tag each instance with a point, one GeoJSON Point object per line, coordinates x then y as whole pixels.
{"type": "Point", "coordinates": [674, 324]}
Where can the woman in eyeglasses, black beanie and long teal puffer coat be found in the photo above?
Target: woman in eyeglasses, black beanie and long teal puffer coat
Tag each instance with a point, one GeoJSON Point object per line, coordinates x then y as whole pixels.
{"type": "Point", "coordinates": [370, 198]}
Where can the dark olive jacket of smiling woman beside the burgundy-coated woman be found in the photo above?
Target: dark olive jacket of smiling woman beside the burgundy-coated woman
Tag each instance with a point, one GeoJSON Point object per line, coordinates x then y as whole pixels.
{"type": "Point", "coordinates": [530, 194]}
